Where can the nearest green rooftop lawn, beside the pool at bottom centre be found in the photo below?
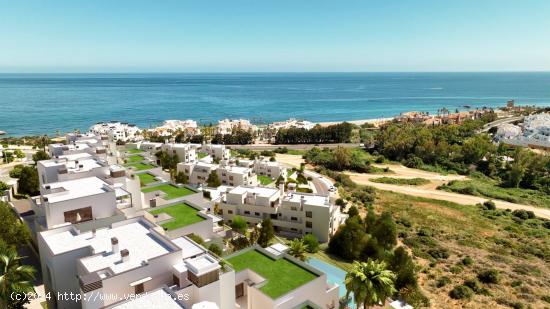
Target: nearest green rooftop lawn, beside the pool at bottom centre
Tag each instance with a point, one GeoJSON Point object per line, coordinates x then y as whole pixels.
{"type": "Point", "coordinates": [282, 275]}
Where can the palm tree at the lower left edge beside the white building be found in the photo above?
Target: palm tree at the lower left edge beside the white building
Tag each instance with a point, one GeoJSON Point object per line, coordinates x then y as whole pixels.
{"type": "Point", "coordinates": [14, 277]}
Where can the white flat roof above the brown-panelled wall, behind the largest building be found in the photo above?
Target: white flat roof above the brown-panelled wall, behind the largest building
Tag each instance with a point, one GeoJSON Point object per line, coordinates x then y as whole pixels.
{"type": "Point", "coordinates": [76, 188]}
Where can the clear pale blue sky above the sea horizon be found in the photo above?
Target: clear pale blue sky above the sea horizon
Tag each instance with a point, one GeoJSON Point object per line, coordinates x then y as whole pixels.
{"type": "Point", "coordinates": [275, 35]}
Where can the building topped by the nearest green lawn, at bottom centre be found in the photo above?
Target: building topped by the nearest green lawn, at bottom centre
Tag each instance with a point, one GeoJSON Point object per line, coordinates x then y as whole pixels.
{"type": "Point", "coordinates": [271, 279]}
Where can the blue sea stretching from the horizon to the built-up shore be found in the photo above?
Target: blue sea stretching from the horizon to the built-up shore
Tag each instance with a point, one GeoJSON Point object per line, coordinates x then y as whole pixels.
{"type": "Point", "coordinates": [44, 103]}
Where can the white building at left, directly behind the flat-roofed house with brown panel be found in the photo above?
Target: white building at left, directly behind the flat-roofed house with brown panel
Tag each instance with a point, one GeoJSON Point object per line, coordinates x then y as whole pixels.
{"type": "Point", "coordinates": [67, 167]}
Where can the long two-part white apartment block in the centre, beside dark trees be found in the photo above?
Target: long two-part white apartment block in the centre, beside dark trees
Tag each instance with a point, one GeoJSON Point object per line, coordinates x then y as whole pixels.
{"type": "Point", "coordinates": [292, 213]}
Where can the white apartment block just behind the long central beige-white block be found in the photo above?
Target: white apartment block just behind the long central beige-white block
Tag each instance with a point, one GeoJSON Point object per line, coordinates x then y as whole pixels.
{"type": "Point", "coordinates": [230, 175]}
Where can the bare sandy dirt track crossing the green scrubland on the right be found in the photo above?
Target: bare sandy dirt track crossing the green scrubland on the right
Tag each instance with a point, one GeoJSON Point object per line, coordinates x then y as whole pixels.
{"type": "Point", "coordinates": [430, 191]}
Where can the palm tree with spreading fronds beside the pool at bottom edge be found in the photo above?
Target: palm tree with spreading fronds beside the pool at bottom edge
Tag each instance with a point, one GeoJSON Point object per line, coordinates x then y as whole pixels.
{"type": "Point", "coordinates": [370, 282]}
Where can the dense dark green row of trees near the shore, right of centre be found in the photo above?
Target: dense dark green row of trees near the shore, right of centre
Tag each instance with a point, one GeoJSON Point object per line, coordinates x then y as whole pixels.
{"type": "Point", "coordinates": [338, 133]}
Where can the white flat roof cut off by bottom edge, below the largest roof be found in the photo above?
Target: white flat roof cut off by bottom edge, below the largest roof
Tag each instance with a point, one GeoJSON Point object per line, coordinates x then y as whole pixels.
{"type": "Point", "coordinates": [157, 299]}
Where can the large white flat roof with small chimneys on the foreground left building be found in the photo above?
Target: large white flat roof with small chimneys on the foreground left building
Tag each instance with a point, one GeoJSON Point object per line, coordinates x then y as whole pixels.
{"type": "Point", "coordinates": [134, 236]}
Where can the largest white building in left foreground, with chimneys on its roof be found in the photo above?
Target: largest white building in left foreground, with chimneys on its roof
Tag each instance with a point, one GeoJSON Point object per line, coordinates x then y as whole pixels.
{"type": "Point", "coordinates": [131, 257]}
